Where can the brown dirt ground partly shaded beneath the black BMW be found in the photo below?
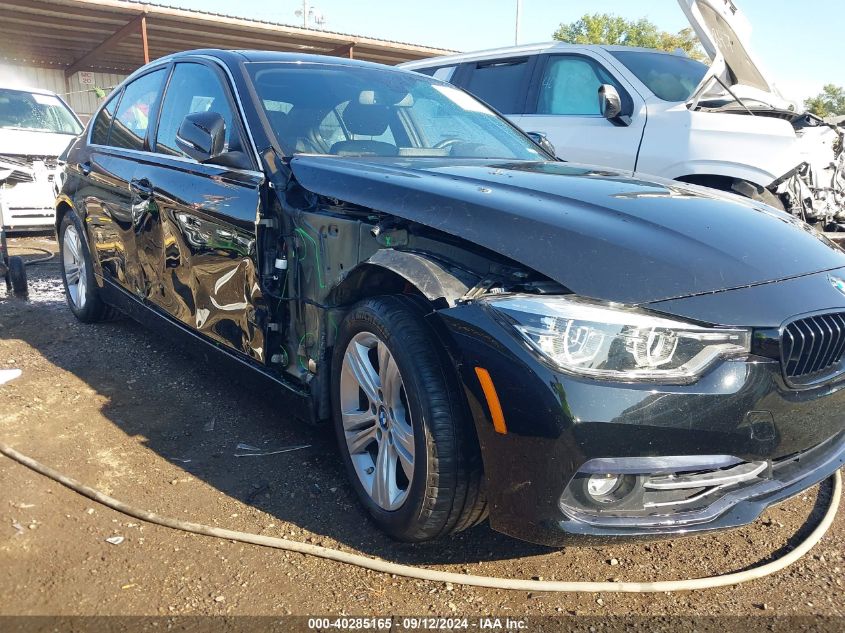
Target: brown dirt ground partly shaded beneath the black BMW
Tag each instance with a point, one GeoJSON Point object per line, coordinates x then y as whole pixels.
{"type": "Point", "coordinates": [124, 411]}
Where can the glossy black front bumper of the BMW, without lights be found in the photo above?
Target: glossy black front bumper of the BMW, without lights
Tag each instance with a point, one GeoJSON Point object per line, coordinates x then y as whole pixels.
{"type": "Point", "coordinates": [556, 423]}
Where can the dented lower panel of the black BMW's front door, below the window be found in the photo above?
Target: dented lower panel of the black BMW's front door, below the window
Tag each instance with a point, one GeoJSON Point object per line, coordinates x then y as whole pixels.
{"type": "Point", "coordinates": [196, 245]}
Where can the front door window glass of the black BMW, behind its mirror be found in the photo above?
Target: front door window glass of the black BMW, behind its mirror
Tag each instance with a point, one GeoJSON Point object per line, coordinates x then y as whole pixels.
{"type": "Point", "coordinates": [193, 88]}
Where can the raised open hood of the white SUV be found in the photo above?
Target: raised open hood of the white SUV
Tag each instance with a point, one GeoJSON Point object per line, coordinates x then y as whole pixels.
{"type": "Point", "coordinates": [725, 34]}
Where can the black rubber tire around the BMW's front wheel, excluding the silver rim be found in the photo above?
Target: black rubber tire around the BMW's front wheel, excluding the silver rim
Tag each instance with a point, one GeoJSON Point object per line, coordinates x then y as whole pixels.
{"type": "Point", "coordinates": [446, 492]}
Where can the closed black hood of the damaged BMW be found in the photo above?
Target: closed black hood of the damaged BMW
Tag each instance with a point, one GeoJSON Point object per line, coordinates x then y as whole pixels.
{"type": "Point", "coordinates": [600, 233]}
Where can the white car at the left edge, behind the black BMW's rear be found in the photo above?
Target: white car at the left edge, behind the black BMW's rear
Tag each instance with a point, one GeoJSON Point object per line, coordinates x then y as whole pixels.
{"type": "Point", "coordinates": [36, 126]}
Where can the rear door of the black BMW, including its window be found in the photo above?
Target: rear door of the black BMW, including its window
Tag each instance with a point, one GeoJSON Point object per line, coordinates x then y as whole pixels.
{"type": "Point", "coordinates": [118, 139]}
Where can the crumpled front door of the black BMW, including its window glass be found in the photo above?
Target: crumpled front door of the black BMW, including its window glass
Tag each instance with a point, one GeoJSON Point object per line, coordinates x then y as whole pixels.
{"type": "Point", "coordinates": [195, 230]}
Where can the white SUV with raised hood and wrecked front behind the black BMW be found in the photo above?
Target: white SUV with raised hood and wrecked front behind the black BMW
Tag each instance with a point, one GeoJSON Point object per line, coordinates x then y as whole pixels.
{"type": "Point", "coordinates": [724, 126]}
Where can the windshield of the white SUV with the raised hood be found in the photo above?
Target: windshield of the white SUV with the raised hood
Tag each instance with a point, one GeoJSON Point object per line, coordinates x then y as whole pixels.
{"type": "Point", "coordinates": [670, 77]}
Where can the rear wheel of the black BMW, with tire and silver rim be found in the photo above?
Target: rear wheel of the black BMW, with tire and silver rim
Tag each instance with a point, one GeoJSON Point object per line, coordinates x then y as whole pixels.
{"type": "Point", "coordinates": [78, 274]}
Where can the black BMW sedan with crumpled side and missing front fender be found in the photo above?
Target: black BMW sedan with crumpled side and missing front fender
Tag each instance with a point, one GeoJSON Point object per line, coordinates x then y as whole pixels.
{"type": "Point", "coordinates": [576, 352]}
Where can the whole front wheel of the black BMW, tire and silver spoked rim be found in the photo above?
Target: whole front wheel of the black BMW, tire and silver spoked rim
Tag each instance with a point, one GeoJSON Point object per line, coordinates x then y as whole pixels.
{"type": "Point", "coordinates": [401, 424]}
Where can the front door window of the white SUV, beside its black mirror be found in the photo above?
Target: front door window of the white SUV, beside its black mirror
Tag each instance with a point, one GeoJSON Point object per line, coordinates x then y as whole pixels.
{"type": "Point", "coordinates": [571, 86]}
